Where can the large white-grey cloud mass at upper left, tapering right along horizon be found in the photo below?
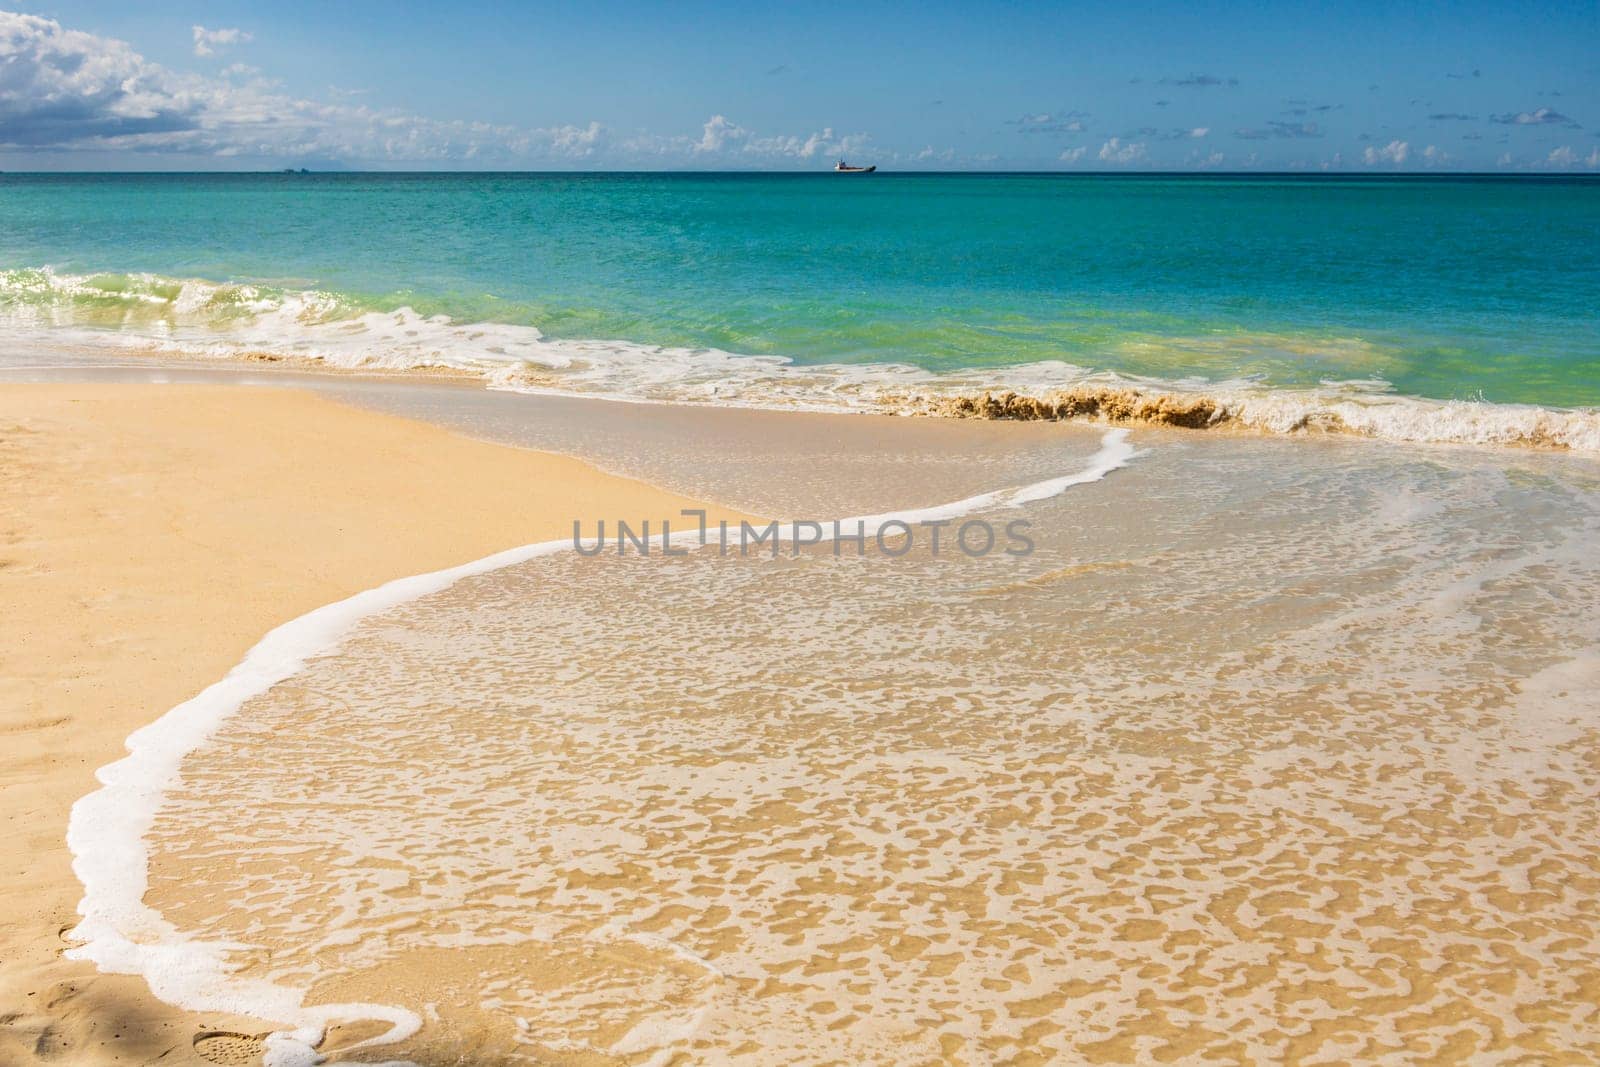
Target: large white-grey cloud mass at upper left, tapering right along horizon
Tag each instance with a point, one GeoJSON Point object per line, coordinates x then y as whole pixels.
{"type": "Point", "coordinates": [65, 90]}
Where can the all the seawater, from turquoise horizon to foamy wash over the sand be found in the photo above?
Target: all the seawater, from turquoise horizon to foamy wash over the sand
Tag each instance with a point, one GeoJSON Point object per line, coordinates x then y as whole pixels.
{"type": "Point", "coordinates": [1278, 745]}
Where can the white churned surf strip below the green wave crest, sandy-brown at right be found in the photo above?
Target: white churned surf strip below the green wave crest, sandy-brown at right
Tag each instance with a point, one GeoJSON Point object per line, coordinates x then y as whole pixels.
{"type": "Point", "coordinates": [402, 343]}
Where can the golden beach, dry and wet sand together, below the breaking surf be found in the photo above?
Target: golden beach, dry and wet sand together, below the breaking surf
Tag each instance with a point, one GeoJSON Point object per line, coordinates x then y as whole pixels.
{"type": "Point", "coordinates": [806, 809]}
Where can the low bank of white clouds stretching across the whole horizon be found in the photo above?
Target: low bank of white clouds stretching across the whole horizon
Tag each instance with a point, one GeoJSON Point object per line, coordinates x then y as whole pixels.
{"type": "Point", "coordinates": [74, 98]}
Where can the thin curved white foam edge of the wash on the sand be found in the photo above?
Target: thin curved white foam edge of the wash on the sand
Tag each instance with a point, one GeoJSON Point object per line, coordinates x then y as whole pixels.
{"type": "Point", "coordinates": [106, 833]}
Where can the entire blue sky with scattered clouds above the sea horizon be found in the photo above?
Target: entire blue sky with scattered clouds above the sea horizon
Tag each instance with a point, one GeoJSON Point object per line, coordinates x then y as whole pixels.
{"type": "Point", "coordinates": [698, 86]}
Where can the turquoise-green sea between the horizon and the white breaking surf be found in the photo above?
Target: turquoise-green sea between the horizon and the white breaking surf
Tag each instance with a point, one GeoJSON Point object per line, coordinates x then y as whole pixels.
{"type": "Point", "coordinates": [1441, 289]}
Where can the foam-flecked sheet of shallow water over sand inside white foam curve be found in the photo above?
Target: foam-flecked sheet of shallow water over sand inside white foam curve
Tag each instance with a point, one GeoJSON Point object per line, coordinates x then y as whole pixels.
{"type": "Point", "coordinates": [1302, 772]}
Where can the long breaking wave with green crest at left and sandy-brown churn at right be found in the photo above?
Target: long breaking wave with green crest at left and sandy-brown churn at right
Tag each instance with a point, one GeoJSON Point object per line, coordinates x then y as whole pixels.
{"type": "Point", "coordinates": [145, 313]}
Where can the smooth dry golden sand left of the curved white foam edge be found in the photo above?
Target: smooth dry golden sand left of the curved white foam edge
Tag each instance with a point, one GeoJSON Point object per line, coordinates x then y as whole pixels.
{"type": "Point", "coordinates": [150, 535]}
